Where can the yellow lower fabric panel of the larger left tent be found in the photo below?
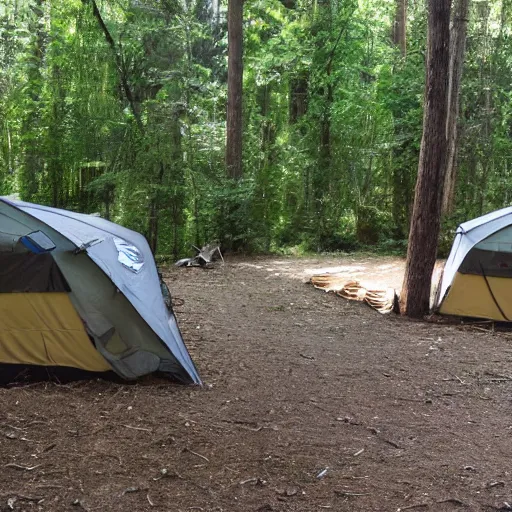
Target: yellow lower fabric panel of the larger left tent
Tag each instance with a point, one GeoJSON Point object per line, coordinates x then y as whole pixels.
{"type": "Point", "coordinates": [45, 329]}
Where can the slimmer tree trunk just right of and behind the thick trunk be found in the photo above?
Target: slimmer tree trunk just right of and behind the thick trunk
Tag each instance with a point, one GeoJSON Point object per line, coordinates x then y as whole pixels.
{"type": "Point", "coordinates": [457, 51]}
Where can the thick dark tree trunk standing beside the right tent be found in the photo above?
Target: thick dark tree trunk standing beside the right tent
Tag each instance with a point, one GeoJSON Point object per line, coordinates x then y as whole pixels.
{"type": "Point", "coordinates": [425, 221]}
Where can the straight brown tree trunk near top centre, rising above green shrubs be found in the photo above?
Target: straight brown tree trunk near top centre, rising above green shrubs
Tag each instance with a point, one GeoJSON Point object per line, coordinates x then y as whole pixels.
{"type": "Point", "coordinates": [235, 76]}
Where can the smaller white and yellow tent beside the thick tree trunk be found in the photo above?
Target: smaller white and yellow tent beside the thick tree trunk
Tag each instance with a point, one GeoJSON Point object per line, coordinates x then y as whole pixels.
{"type": "Point", "coordinates": [477, 277]}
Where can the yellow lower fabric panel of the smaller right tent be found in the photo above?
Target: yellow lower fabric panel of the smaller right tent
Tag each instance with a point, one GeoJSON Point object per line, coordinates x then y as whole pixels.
{"type": "Point", "coordinates": [469, 296]}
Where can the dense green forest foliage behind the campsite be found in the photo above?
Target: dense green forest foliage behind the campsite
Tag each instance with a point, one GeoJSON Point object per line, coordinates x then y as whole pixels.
{"type": "Point", "coordinates": [119, 108]}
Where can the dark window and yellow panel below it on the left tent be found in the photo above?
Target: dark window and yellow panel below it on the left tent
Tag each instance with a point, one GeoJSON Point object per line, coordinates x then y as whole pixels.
{"type": "Point", "coordinates": [40, 325]}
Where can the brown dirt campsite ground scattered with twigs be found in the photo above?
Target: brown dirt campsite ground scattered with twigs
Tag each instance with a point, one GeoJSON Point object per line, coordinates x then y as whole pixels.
{"type": "Point", "coordinates": [309, 403]}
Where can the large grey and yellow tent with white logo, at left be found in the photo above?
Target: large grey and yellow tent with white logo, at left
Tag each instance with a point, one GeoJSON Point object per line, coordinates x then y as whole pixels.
{"type": "Point", "coordinates": [81, 292]}
